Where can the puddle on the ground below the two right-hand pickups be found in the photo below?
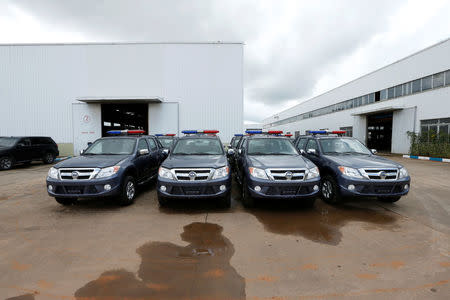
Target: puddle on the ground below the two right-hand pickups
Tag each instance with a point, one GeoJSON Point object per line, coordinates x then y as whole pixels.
{"type": "Point", "coordinates": [321, 224]}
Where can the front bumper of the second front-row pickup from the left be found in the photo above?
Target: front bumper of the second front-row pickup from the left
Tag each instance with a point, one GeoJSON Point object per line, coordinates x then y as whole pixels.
{"type": "Point", "coordinates": [194, 189]}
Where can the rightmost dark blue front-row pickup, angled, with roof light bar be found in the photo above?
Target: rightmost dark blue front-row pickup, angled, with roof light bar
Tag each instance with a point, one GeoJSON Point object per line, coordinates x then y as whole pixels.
{"type": "Point", "coordinates": [348, 168]}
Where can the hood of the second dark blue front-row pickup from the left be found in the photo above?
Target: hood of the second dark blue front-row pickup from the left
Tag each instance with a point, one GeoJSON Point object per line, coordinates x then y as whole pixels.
{"type": "Point", "coordinates": [195, 161]}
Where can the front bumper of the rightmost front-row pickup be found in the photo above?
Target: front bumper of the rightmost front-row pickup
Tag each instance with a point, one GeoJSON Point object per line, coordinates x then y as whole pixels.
{"type": "Point", "coordinates": [374, 188]}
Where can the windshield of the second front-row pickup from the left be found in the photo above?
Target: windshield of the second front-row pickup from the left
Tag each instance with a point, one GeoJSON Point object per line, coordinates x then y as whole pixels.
{"type": "Point", "coordinates": [198, 146]}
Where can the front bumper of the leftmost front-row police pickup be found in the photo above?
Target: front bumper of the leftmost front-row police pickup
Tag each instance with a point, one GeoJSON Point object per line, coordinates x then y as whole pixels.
{"type": "Point", "coordinates": [83, 188]}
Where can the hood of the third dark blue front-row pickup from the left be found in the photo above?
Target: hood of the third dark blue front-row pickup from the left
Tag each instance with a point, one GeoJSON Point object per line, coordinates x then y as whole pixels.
{"type": "Point", "coordinates": [278, 161]}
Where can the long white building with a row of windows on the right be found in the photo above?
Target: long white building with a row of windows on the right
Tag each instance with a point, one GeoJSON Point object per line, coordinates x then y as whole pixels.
{"type": "Point", "coordinates": [380, 108]}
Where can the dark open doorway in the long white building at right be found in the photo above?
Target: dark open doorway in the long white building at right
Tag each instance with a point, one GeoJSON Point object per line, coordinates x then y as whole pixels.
{"type": "Point", "coordinates": [379, 131]}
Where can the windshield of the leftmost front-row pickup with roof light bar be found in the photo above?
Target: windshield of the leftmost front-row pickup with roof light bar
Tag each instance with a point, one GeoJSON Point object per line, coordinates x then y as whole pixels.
{"type": "Point", "coordinates": [111, 146]}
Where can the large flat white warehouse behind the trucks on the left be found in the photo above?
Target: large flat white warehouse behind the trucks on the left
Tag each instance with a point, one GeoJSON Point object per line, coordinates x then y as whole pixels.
{"type": "Point", "coordinates": [74, 93]}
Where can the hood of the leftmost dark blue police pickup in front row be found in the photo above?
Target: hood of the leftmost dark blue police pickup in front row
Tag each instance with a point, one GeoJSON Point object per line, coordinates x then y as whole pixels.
{"type": "Point", "coordinates": [91, 161]}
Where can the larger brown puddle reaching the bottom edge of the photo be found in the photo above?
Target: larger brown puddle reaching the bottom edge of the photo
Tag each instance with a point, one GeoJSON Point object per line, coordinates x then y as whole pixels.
{"type": "Point", "coordinates": [200, 270]}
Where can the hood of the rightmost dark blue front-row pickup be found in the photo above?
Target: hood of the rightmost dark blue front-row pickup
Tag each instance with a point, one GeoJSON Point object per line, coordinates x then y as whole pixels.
{"type": "Point", "coordinates": [363, 161]}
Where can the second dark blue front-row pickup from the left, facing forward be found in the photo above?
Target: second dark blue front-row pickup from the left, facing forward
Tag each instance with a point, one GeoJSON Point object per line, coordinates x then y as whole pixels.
{"type": "Point", "coordinates": [196, 167]}
